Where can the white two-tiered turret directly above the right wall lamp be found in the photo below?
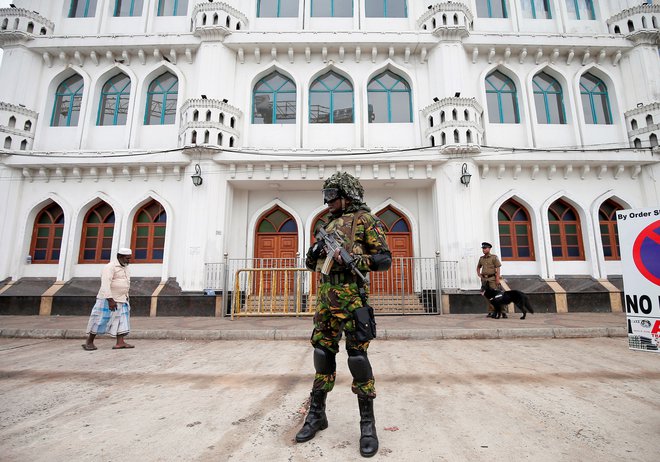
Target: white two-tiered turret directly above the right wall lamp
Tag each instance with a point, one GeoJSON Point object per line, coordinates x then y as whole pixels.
{"type": "Point", "coordinates": [456, 123]}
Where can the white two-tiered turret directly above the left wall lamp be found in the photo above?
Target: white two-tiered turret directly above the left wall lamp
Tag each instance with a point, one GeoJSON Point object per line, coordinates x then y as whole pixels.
{"type": "Point", "coordinates": [209, 121]}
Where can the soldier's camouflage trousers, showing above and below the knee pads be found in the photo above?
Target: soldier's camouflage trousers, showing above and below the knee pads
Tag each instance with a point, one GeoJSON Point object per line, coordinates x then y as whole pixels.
{"type": "Point", "coordinates": [334, 316]}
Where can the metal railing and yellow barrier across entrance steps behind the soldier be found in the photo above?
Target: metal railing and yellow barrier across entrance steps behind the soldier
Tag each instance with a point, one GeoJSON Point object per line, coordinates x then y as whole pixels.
{"type": "Point", "coordinates": [283, 287]}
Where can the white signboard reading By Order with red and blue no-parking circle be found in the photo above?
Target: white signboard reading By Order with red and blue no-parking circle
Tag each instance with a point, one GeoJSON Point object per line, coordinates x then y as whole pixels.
{"type": "Point", "coordinates": [639, 238]}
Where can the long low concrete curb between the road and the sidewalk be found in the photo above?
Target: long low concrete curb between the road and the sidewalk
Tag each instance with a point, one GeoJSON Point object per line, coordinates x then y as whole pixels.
{"type": "Point", "coordinates": [299, 334]}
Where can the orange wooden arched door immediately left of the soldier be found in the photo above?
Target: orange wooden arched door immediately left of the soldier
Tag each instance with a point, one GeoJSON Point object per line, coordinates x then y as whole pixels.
{"type": "Point", "coordinates": [276, 246]}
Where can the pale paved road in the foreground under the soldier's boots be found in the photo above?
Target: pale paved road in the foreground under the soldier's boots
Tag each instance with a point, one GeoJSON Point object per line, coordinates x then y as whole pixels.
{"type": "Point", "coordinates": [450, 400]}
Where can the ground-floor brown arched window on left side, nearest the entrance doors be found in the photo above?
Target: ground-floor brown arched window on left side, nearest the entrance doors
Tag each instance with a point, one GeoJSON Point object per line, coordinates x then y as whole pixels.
{"type": "Point", "coordinates": [148, 241]}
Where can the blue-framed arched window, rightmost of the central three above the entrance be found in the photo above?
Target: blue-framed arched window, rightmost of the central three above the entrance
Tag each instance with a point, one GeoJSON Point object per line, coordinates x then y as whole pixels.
{"type": "Point", "coordinates": [389, 99]}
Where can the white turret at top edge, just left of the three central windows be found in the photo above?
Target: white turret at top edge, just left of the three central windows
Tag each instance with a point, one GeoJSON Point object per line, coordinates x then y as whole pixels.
{"type": "Point", "coordinates": [214, 21]}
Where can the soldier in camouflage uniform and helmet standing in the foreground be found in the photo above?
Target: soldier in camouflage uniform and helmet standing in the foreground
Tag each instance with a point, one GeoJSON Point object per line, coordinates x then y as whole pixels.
{"type": "Point", "coordinates": [338, 298]}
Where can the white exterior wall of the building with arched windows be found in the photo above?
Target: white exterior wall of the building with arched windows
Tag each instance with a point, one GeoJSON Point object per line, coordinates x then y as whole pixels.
{"type": "Point", "coordinates": [286, 164]}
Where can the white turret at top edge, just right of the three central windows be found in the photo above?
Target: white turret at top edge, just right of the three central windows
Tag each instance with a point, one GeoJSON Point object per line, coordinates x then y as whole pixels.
{"type": "Point", "coordinates": [447, 20]}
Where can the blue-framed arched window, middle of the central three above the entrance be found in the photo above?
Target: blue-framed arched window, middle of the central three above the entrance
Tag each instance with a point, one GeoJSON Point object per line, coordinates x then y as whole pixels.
{"type": "Point", "coordinates": [331, 100]}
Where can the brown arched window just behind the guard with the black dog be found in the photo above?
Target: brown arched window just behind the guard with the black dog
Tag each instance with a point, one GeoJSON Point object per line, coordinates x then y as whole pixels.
{"type": "Point", "coordinates": [515, 230]}
